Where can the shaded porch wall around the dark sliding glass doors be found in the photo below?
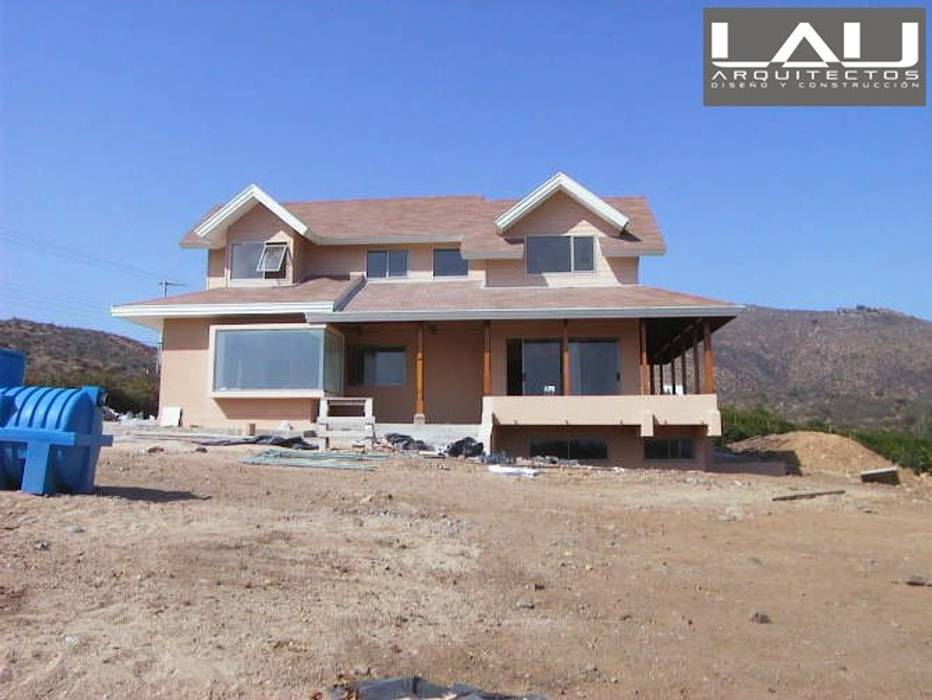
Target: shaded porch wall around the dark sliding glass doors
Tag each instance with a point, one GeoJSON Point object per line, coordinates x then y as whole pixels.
{"type": "Point", "coordinates": [626, 330]}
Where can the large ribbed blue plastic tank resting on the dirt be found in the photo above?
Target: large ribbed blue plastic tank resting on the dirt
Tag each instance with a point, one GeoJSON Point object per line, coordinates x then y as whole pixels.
{"type": "Point", "coordinates": [50, 438]}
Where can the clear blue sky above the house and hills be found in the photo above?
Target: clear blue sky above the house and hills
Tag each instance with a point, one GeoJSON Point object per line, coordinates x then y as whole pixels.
{"type": "Point", "coordinates": [122, 122]}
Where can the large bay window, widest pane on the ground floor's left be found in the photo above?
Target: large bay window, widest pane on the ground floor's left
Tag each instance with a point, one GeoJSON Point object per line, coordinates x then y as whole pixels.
{"type": "Point", "coordinates": [251, 359]}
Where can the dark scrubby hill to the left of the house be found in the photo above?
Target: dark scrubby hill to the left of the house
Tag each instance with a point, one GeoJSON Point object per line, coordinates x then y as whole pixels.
{"type": "Point", "coordinates": [63, 356]}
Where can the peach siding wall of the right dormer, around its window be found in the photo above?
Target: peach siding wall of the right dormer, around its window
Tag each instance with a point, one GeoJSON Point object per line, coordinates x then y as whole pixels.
{"type": "Point", "coordinates": [561, 215]}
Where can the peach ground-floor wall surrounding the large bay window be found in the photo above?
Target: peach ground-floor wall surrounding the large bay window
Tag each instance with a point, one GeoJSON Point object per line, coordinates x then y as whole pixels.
{"type": "Point", "coordinates": [184, 382]}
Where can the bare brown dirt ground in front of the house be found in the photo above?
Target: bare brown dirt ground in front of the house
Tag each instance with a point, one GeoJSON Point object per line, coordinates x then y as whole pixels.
{"type": "Point", "coordinates": [191, 575]}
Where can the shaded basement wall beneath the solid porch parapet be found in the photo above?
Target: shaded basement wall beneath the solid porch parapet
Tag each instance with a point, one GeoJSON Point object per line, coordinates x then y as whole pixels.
{"type": "Point", "coordinates": [625, 447]}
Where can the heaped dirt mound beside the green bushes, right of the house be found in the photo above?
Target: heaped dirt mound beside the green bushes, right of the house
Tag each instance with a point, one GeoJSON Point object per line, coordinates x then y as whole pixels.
{"type": "Point", "coordinates": [812, 451]}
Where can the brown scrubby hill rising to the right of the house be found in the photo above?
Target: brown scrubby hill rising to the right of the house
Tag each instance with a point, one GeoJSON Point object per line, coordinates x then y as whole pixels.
{"type": "Point", "coordinates": [851, 367]}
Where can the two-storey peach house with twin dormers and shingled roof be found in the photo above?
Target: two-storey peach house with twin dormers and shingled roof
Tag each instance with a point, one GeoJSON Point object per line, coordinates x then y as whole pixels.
{"type": "Point", "coordinates": [523, 317]}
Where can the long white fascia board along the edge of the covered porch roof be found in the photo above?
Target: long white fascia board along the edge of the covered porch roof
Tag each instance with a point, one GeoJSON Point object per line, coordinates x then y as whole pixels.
{"type": "Point", "coordinates": [524, 314]}
